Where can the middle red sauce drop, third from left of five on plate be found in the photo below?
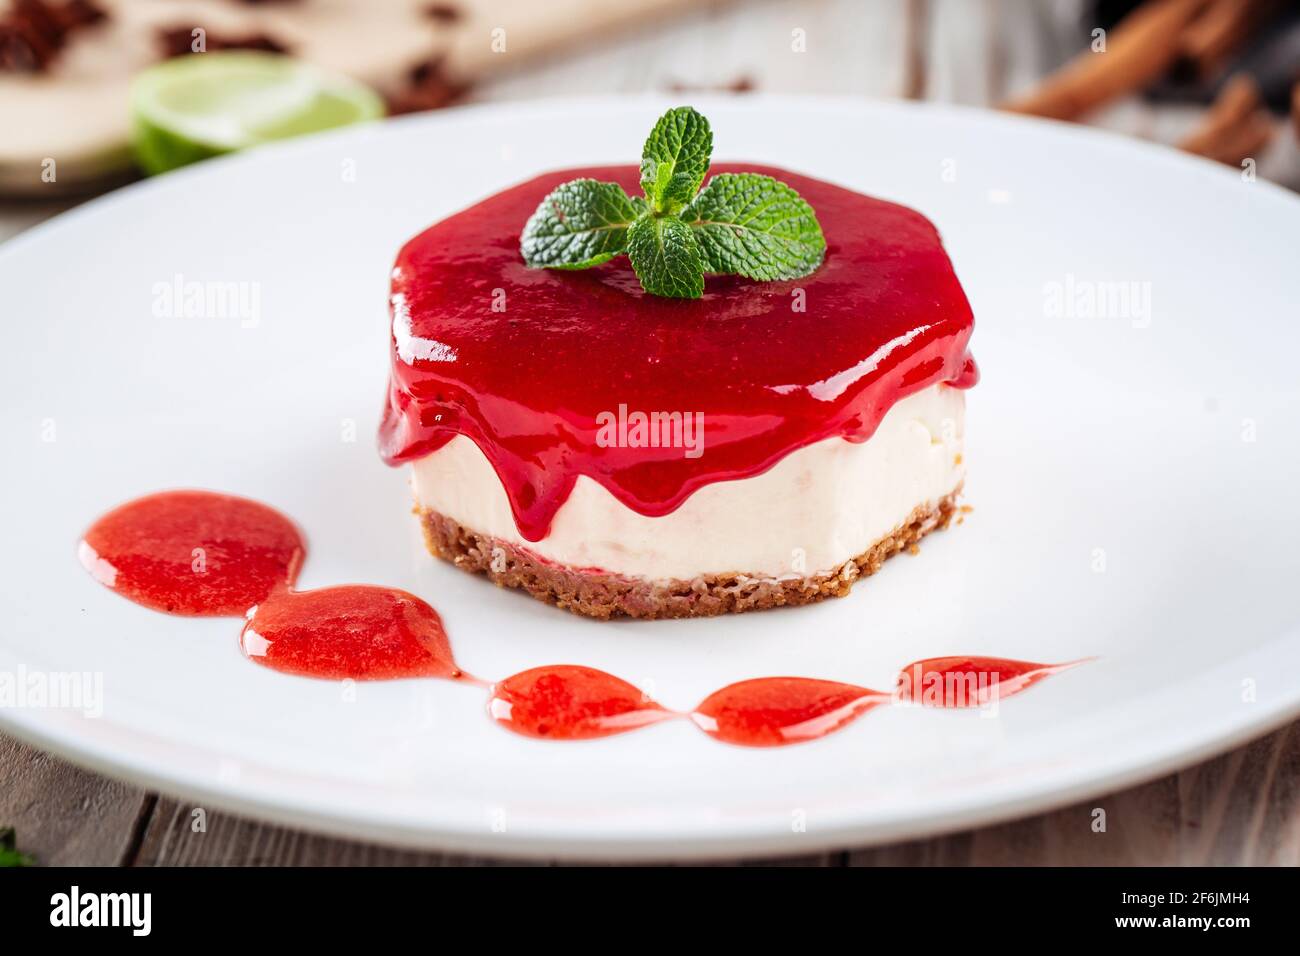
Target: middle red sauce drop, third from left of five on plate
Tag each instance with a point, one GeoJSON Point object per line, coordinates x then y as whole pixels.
{"type": "Point", "coordinates": [571, 703]}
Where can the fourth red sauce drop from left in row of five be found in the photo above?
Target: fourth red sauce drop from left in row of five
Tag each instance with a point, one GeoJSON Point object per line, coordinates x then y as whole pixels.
{"type": "Point", "coordinates": [773, 712]}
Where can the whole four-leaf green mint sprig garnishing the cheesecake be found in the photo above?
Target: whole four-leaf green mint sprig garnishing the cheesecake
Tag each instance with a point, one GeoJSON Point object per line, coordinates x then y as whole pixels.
{"type": "Point", "coordinates": [743, 224]}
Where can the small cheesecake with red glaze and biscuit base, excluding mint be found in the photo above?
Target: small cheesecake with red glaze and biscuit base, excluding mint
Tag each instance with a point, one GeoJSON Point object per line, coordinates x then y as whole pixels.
{"type": "Point", "coordinates": [617, 453]}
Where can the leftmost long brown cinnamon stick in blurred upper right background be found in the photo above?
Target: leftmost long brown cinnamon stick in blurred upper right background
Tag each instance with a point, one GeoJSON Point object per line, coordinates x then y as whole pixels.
{"type": "Point", "coordinates": [1139, 50]}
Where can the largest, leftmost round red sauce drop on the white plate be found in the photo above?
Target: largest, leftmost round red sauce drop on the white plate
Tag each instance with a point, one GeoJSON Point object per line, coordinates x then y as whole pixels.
{"type": "Point", "coordinates": [196, 553]}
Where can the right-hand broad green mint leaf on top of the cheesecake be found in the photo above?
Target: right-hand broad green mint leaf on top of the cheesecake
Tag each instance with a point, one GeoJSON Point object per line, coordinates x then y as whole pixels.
{"type": "Point", "coordinates": [756, 227]}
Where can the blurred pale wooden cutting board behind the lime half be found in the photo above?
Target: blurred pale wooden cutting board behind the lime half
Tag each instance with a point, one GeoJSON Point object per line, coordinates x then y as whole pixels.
{"type": "Point", "coordinates": [68, 129]}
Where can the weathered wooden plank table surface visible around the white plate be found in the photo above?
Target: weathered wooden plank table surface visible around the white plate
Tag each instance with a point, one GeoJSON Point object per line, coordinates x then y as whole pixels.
{"type": "Point", "coordinates": [1241, 808]}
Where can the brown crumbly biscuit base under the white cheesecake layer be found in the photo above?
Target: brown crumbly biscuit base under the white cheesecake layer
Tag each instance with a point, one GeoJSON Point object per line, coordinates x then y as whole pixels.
{"type": "Point", "coordinates": [604, 596]}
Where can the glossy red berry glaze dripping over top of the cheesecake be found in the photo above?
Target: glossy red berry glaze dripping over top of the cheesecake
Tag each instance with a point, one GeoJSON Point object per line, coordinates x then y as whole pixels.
{"type": "Point", "coordinates": [886, 313]}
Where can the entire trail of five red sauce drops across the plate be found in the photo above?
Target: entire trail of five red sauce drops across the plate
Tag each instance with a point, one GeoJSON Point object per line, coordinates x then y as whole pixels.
{"type": "Point", "coordinates": [210, 555]}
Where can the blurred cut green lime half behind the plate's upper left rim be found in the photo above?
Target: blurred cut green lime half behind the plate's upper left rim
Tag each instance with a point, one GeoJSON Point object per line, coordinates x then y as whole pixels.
{"type": "Point", "coordinates": [206, 105]}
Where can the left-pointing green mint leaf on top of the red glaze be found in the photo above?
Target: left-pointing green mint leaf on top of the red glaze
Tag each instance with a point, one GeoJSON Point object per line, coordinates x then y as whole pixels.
{"type": "Point", "coordinates": [583, 223]}
